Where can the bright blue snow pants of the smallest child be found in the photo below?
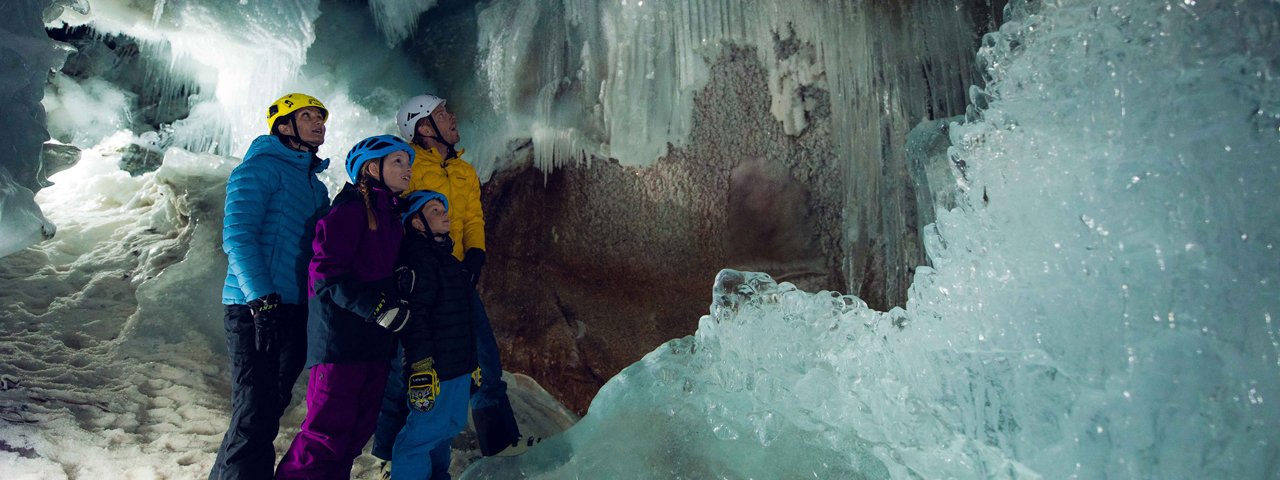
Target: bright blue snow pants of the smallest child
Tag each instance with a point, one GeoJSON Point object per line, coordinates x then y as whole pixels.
{"type": "Point", "coordinates": [423, 449]}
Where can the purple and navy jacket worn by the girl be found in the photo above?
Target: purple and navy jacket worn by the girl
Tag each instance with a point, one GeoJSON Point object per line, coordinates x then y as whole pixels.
{"type": "Point", "coordinates": [351, 271]}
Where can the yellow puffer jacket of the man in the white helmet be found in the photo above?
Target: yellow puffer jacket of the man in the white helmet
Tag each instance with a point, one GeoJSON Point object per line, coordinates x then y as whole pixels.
{"type": "Point", "coordinates": [459, 182]}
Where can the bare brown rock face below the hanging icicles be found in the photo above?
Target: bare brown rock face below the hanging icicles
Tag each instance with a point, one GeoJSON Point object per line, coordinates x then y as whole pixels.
{"type": "Point", "coordinates": [595, 266]}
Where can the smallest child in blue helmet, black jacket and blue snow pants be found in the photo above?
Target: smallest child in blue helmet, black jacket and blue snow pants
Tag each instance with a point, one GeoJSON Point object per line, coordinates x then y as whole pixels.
{"type": "Point", "coordinates": [440, 345]}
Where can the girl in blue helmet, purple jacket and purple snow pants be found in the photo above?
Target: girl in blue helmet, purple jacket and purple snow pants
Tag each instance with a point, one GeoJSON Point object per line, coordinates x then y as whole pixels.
{"type": "Point", "coordinates": [354, 312]}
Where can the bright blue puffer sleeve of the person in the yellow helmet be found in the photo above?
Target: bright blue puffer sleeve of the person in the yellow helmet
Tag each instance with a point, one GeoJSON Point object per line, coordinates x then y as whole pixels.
{"type": "Point", "coordinates": [249, 194]}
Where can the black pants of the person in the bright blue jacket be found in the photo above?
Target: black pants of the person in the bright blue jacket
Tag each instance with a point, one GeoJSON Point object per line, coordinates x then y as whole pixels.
{"type": "Point", "coordinates": [262, 390]}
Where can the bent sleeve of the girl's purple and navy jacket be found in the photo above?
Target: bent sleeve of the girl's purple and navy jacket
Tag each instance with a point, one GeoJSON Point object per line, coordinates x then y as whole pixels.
{"type": "Point", "coordinates": [335, 262]}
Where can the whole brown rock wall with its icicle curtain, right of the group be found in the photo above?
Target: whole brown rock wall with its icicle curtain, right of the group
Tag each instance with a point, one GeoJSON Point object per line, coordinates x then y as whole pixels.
{"type": "Point", "coordinates": [794, 163]}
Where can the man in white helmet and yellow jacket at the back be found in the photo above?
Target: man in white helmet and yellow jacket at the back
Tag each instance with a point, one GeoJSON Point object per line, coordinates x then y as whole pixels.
{"type": "Point", "coordinates": [433, 132]}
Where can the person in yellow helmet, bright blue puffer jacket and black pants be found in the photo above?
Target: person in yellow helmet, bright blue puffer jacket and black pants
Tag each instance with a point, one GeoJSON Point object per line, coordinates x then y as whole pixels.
{"type": "Point", "coordinates": [273, 202]}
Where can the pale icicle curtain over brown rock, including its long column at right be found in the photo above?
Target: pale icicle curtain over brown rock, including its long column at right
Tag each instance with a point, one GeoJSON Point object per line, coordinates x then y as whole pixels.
{"type": "Point", "coordinates": [620, 80]}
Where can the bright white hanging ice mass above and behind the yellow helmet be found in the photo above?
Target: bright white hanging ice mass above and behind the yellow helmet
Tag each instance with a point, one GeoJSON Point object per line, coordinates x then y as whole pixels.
{"type": "Point", "coordinates": [244, 54]}
